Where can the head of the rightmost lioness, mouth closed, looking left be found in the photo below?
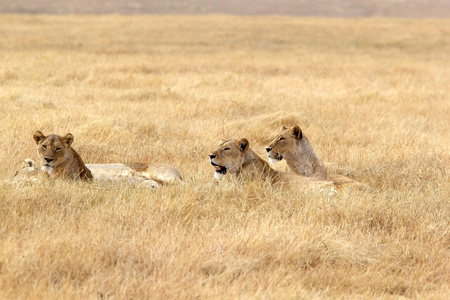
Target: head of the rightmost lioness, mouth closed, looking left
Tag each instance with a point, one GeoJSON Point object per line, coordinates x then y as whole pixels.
{"type": "Point", "coordinates": [284, 142]}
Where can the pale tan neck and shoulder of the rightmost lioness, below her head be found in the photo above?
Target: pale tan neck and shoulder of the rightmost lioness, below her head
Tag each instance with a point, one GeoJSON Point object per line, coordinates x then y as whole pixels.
{"type": "Point", "coordinates": [304, 161]}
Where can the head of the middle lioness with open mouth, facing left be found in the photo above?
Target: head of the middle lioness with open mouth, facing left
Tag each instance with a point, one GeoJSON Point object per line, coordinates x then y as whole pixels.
{"type": "Point", "coordinates": [229, 156]}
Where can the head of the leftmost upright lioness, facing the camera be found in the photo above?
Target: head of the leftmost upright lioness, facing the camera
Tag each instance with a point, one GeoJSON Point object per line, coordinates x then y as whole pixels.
{"type": "Point", "coordinates": [52, 149]}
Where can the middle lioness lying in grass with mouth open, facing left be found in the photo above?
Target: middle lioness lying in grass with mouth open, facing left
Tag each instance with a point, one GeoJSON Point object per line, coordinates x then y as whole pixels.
{"type": "Point", "coordinates": [236, 157]}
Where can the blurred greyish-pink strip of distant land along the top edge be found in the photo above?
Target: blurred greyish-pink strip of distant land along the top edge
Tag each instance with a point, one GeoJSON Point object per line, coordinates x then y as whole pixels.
{"type": "Point", "coordinates": [307, 8]}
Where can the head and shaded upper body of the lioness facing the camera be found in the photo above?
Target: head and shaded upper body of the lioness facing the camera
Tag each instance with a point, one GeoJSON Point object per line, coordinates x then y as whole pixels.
{"type": "Point", "coordinates": [59, 159]}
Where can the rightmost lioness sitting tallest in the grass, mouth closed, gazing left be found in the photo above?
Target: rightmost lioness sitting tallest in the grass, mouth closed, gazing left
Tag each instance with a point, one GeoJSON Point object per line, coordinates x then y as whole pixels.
{"type": "Point", "coordinates": [292, 146]}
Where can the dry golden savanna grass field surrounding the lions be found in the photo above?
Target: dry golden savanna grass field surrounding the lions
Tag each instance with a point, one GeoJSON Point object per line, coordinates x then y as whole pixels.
{"type": "Point", "coordinates": [372, 96]}
